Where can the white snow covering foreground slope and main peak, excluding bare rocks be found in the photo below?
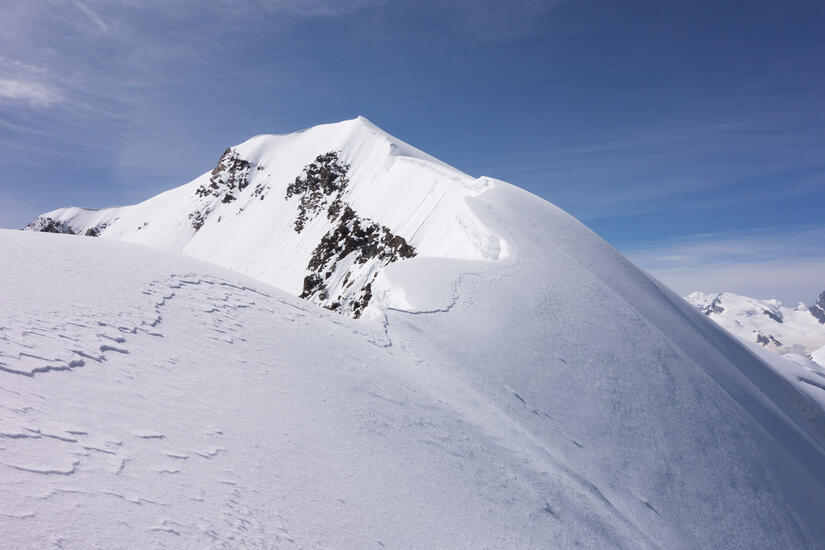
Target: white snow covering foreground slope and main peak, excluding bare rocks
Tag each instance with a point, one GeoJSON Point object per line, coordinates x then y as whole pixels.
{"type": "Point", "coordinates": [517, 384]}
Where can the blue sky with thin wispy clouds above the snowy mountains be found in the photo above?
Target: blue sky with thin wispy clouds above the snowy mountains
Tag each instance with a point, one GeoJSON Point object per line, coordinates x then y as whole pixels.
{"type": "Point", "coordinates": [691, 135]}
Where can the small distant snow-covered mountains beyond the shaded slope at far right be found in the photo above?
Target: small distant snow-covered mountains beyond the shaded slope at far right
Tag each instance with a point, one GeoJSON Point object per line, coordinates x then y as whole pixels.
{"type": "Point", "coordinates": [784, 330]}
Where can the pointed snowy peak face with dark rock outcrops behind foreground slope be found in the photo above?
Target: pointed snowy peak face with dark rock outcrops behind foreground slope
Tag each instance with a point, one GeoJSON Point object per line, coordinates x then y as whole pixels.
{"type": "Point", "coordinates": [321, 213]}
